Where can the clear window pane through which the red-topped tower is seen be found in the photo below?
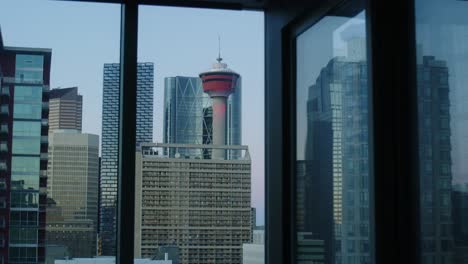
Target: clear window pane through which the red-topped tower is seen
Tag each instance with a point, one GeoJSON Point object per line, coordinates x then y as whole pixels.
{"type": "Point", "coordinates": [197, 203]}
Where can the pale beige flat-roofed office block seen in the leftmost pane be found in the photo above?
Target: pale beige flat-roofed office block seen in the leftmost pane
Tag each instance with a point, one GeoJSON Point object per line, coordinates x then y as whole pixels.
{"type": "Point", "coordinates": [72, 183]}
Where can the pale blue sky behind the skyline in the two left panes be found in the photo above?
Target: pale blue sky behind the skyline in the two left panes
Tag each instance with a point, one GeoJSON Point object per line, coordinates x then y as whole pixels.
{"type": "Point", "coordinates": [180, 41]}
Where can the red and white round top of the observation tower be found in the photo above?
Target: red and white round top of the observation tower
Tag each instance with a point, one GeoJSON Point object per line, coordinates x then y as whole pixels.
{"type": "Point", "coordinates": [220, 80]}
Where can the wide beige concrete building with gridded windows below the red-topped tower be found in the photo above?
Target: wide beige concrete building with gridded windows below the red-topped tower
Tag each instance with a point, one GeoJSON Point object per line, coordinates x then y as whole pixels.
{"type": "Point", "coordinates": [200, 205]}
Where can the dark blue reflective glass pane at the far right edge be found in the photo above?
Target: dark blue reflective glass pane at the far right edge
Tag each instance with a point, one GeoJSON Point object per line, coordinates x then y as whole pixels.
{"type": "Point", "coordinates": [442, 60]}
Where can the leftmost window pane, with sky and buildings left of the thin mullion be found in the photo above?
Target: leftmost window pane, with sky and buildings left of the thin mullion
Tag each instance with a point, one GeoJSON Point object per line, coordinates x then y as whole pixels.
{"type": "Point", "coordinates": [52, 68]}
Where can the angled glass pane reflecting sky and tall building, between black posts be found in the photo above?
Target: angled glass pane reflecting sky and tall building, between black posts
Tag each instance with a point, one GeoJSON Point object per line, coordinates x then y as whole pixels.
{"type": "Point", "coordinates": [332, 167]}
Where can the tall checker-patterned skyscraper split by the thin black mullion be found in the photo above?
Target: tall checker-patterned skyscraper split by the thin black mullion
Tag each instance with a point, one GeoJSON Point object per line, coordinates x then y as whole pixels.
{"type": "Point", "coordinates": [109, 147]}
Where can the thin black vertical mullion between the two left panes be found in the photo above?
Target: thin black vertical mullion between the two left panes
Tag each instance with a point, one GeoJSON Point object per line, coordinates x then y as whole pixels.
{"type": "Point", "coordinates": [127, 133]}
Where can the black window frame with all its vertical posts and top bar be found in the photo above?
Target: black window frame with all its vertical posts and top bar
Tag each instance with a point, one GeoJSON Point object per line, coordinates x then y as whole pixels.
{"type": "Point", "coordinates": [393, 120]}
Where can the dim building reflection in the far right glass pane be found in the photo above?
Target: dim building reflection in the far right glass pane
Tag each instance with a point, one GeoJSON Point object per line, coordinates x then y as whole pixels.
{"type": "Point", "coordinates": [435, 161]}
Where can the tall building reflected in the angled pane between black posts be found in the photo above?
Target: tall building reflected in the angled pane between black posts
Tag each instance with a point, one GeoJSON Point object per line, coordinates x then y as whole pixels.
{"type": "Point", "coordinates": [335, 174]}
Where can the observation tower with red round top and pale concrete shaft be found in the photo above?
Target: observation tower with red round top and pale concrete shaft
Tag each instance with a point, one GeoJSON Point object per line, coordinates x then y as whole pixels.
{"type": "Point", "coordinates": [219, 82]}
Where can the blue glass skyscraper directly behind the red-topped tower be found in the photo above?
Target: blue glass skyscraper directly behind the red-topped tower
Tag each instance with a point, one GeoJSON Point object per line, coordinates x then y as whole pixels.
{"type": "Point", "coordinates": [188, 113]}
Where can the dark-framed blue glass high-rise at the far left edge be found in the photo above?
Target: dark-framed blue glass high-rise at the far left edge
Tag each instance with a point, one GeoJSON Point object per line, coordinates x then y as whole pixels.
{"type": "Point", "coordinates": [24, 113]}
